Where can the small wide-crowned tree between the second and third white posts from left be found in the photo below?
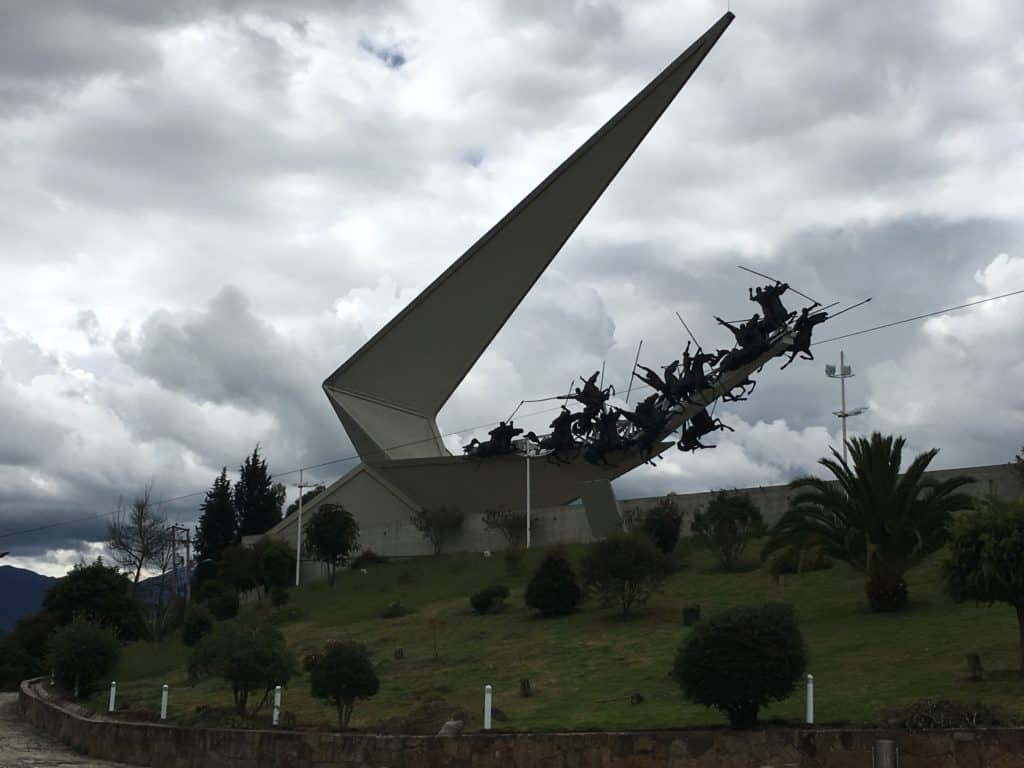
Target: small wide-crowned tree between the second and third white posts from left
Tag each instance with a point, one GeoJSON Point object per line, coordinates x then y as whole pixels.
{"type": "Point", "coordinates": [251, 659]}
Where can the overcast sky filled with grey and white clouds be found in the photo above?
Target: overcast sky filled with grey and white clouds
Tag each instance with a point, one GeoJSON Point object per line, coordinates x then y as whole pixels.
{"type": "Point", "coordinates": [206, 207]}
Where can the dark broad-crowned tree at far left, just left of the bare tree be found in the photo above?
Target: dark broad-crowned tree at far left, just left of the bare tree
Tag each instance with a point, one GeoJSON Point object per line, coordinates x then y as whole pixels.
{"type": "Point", "coordinates": [101, 593]}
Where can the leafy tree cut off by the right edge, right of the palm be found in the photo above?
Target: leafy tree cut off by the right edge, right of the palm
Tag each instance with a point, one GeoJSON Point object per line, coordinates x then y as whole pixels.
{"type": "Point", "coordinates": [987, 559]}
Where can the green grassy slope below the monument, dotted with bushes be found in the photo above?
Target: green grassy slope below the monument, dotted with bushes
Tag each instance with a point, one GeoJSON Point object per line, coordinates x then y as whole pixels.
{"type": "Point", "coordinates": [584, 668]}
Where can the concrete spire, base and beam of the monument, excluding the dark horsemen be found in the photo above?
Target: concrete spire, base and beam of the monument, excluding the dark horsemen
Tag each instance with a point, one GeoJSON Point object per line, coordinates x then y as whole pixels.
{"type": "Point", "coordinates": [388, 396]}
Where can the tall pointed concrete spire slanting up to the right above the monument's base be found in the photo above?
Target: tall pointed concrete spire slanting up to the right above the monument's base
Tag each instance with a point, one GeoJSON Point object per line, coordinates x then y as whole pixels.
{"type": "Point", "coordinates": [441, 335]}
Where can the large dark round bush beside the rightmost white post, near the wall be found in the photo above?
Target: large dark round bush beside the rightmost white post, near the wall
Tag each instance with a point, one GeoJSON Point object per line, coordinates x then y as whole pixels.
{"type": "Point", "coordinates": [741, 660]}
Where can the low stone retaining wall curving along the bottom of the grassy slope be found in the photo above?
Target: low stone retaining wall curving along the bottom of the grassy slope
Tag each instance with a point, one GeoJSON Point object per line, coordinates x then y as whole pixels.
{"type": "Point", "coordinates": [172, 747]}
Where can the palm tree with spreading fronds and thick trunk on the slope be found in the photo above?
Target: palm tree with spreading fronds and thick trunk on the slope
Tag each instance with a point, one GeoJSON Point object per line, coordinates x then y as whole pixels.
{"type": "Point", "coordinates": [871, 517]}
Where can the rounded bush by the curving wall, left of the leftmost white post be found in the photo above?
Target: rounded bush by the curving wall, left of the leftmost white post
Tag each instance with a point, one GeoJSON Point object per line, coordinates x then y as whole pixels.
{"type": "Point", "coordinates": [82, 654]}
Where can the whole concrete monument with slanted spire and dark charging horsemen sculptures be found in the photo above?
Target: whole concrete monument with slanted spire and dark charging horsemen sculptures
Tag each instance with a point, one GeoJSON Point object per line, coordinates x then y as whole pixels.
{"type": "Point", "coordinates": [389, 394]}
